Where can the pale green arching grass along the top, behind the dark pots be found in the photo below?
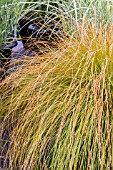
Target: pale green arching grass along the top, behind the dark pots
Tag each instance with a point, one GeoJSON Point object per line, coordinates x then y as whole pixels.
{"type": "Point", "coordinates": [71, 12]}
